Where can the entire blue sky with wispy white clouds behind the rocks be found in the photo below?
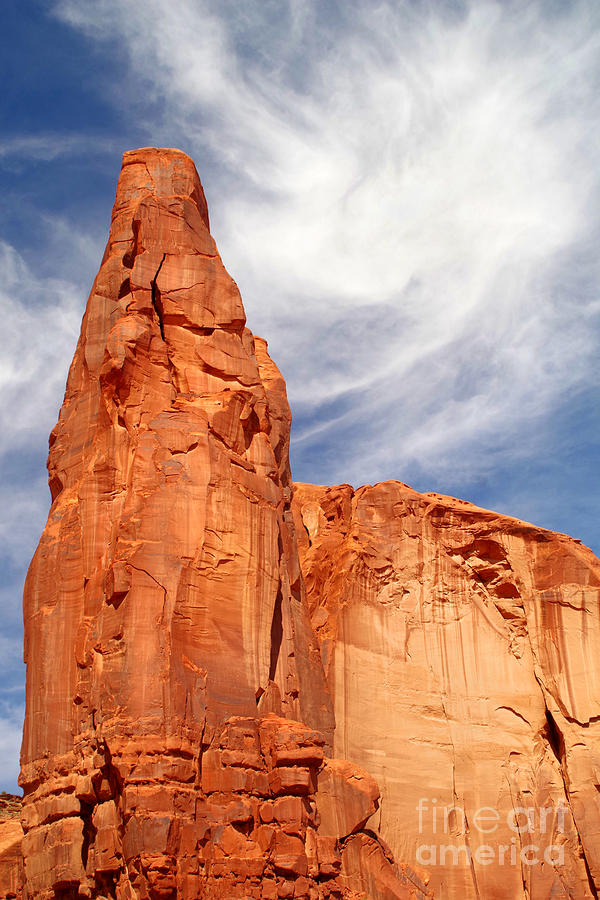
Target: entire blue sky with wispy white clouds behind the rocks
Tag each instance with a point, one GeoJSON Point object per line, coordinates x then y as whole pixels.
{"type": "Point", "coordinates": [406, 193]}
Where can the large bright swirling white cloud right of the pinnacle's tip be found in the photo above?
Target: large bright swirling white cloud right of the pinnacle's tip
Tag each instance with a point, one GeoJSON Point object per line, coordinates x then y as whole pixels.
{"type": "Point", "coordinates": [407, 201]}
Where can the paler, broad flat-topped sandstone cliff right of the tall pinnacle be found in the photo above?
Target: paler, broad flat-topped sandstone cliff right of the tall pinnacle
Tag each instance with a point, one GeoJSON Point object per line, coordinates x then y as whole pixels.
{"type": "Point", "coordinates": [461, 649]}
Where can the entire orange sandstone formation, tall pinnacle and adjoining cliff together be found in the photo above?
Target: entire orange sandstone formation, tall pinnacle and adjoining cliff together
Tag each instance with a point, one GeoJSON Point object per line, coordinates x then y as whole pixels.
{"type": "Point", "coordinates": [242, 688]}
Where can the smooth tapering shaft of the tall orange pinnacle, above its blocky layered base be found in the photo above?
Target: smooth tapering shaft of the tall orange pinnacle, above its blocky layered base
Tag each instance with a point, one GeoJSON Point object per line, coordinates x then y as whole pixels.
{"type": "Point", "coordinates": [168, 562]}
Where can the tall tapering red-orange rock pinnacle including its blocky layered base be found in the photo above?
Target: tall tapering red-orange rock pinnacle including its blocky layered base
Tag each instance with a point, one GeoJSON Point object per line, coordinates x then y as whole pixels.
{"type": "Point", "coordinates": [178, 721]}
